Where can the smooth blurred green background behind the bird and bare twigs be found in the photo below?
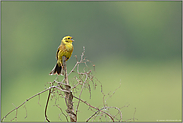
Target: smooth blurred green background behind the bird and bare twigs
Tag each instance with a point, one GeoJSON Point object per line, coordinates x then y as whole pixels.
{"type": "Point", "coordinates": [137, 44]}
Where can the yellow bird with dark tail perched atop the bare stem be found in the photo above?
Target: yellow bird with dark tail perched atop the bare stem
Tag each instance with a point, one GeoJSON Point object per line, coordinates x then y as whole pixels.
{"type": "Point", "coordinates": [65, 49]}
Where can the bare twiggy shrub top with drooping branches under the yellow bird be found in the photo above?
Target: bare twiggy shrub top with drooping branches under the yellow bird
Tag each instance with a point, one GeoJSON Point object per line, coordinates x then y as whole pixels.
{"type": "Point", "coordinates": [83, 80]}
